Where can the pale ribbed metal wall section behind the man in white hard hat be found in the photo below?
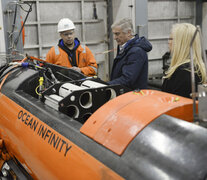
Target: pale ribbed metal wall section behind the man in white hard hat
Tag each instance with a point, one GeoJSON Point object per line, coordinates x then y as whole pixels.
{"type": "Point", "coordinates": [41, 27]}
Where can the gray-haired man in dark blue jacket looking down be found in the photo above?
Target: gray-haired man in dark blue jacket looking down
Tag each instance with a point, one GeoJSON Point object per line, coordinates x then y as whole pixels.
{"type": "Point", "coordinates": [130, 67]}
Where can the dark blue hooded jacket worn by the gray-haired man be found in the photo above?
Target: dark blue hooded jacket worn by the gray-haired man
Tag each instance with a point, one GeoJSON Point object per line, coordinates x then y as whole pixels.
{"type": "Point", "coordinates": [130, 67]}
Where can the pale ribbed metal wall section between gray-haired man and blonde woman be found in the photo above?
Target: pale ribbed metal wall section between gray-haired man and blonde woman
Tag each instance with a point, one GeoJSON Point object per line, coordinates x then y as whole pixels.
{"type": "Point", "coordinates": [162, 14]}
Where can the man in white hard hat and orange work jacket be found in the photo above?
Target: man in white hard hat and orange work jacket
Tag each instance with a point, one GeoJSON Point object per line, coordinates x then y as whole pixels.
{"type": "Point", "coordinates": [70, 53]}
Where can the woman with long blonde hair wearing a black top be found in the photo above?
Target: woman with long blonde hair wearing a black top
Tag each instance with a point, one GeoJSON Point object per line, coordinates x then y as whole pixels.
{"type": "Point", "coordinates": [178, 77]}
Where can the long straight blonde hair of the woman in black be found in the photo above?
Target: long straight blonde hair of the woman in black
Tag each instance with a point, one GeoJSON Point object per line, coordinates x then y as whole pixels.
{"type": "Point", "coordinates": [182, 35]}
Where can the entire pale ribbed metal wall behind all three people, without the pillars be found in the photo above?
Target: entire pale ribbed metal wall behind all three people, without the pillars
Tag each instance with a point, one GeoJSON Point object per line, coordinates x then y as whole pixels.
{"type": "Point", "coordinates": [41, 27]}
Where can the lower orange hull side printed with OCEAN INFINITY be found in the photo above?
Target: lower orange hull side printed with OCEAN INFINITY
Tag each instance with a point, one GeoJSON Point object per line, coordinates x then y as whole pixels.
{"type": "Point", "coordinates": [43, 152]}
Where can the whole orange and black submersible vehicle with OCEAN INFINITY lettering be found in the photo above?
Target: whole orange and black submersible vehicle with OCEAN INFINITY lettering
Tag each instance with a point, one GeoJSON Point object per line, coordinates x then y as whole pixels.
{"type": "Point", "coordinates": [56, 123]}
